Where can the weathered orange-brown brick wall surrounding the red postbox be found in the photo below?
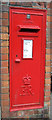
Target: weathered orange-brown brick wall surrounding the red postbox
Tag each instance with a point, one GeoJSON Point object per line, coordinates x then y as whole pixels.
{"type": "Point", "coordinates": [5, 91]}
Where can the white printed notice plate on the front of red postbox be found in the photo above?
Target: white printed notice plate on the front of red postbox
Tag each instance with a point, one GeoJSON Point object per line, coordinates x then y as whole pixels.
{"type": "Point", "coordinates": [27, 48]}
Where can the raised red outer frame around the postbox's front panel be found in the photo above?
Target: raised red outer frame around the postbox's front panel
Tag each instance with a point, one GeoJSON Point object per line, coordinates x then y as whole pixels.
{"type": "Point", "coordinates": [42, 12]}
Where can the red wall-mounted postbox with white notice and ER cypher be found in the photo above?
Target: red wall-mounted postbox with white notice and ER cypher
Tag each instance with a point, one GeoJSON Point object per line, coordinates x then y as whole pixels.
{"type": "Point", "coordinates": [27, 58]}
